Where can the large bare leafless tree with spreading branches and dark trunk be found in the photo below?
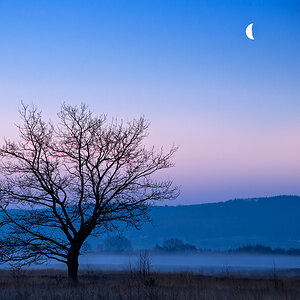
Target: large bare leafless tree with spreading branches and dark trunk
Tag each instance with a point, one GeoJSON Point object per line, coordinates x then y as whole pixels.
{"type": "Point", "coordinates": [81, 177]}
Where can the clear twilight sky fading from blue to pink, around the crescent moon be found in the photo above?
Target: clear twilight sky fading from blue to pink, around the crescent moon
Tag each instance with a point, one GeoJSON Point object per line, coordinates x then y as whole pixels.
{"type": "Point", "coordinates": [232, 104]}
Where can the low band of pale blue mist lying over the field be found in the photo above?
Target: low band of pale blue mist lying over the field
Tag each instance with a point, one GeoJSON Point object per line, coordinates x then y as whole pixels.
{"type": "Point", "coordinates": [207, 263]}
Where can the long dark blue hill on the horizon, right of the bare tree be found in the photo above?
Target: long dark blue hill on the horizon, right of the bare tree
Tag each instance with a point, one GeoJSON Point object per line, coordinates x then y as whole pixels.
{"type": "Point", "coordinates": [272, 221]}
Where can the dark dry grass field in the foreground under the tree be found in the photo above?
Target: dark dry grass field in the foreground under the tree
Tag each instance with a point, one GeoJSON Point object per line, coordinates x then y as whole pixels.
{"type": "Point", "coordinates": [51, 284]}
